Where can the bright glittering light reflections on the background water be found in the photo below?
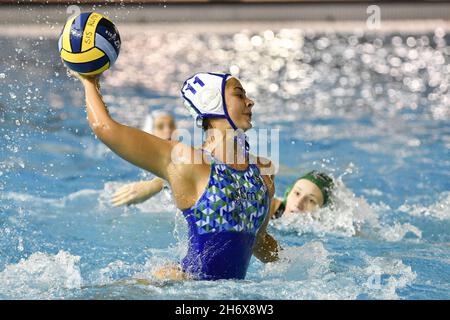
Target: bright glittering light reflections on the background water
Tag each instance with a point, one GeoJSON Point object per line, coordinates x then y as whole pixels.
{"type": "Point", "coordinates": [357, 73]}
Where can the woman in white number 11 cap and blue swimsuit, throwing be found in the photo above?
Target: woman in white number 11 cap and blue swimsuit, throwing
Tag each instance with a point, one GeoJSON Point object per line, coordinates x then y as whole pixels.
{"type": "Point", "coordinates": [226, 204]}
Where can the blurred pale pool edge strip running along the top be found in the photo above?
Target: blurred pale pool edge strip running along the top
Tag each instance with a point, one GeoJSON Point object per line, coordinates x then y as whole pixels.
{"type": "Point", "coordinates": [47, 20]}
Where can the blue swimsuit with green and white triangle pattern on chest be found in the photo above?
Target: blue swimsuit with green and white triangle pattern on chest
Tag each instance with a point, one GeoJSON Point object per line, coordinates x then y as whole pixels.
{"type": "Point", "coordinates": [224, 222]}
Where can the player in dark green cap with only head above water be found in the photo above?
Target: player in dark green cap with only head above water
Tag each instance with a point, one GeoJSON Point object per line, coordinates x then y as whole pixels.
{"type": "Point", "coordinates": [309, 192]}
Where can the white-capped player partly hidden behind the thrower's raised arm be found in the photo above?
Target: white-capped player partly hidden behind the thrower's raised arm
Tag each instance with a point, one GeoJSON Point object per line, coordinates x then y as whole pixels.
{"type": "Point", "coordinates": [161, 124]}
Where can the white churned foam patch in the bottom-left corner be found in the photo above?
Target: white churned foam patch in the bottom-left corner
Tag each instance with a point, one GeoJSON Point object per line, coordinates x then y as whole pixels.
{"type": "Point", "coordinates": [41, 276]}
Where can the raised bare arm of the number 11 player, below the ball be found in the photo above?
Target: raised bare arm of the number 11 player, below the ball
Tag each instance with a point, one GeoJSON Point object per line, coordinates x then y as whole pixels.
{"type": "Point", "coordinates": [138, 147]}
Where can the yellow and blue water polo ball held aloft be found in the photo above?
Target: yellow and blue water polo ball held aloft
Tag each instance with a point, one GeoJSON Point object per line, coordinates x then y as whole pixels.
{"type": "Point", "coordinates": [89, 43]}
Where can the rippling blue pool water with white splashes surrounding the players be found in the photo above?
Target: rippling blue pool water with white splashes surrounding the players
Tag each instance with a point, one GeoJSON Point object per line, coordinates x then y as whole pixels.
{"type": "Point", "coordinates": [372, 109]}
